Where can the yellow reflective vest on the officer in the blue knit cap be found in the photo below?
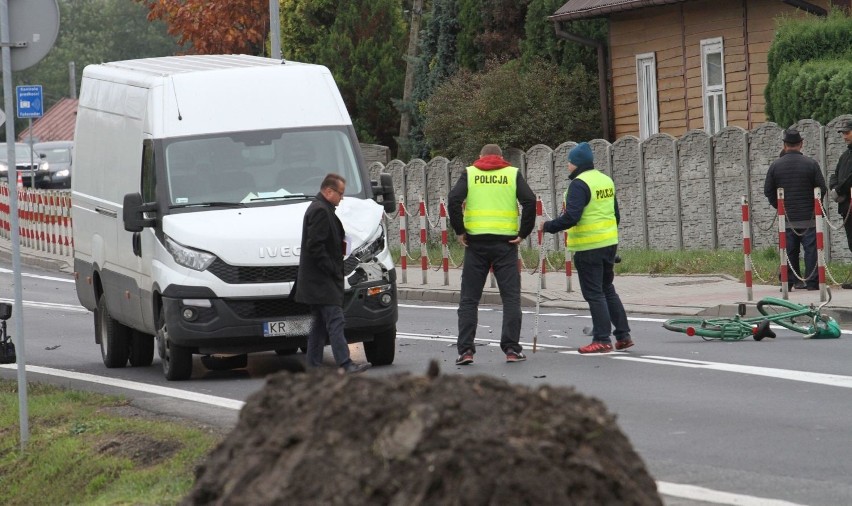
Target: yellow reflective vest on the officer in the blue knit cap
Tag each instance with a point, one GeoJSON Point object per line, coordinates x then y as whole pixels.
{"type": "Point", "coordinates": [597, 227]}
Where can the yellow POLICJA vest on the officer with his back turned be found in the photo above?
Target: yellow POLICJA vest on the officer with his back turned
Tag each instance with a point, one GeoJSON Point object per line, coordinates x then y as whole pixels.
{"type": "Point", "coordinates": [491, 205]}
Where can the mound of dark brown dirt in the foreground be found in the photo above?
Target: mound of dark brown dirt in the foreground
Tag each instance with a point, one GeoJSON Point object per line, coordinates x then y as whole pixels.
{"type": "Point", "coordinates": [323, 438]}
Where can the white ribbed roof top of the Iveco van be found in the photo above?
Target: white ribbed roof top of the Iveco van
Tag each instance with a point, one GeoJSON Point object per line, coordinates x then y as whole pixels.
{"type": "Point", "coordinates": [170, 65]}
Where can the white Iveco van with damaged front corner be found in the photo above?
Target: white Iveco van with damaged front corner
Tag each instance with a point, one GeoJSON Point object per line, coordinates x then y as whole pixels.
{"type": "Point", "coordinates": [192, 175]}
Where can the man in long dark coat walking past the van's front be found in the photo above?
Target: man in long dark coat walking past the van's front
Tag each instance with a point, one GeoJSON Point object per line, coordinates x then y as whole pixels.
{"type": "Point", "coordinates": [320, 279]}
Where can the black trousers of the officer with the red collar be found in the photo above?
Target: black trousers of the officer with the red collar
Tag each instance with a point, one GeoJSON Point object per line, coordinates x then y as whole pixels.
{"type": "Point", "coordinates": [479, 258]}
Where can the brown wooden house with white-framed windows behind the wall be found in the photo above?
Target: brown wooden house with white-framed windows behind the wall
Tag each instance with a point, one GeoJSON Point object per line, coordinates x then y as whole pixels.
{"type": "Point", "coordinates": [679, 65]}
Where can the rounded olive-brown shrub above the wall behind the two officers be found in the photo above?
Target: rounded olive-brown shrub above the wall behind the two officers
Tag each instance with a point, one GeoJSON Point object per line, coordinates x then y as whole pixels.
{"type": "Point", "coordinates": [510, 107]}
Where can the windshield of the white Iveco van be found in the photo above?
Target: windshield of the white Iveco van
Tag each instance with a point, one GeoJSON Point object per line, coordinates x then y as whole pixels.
{"type": "Point", "coordinates": [259, 166]}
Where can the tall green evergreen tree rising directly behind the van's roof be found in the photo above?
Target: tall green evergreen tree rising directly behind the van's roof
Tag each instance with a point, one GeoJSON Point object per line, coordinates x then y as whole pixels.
{"type": "Point", "coordinates": [362, 42]}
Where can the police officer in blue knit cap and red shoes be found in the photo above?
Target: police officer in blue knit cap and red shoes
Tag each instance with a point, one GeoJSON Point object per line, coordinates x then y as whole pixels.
{"type": "Point", "coordinates": [591, 218]}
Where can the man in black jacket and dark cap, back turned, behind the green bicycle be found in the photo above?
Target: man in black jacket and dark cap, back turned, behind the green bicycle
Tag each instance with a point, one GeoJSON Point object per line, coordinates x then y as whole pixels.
{"type": "Point", "coordinates": [798, 175]}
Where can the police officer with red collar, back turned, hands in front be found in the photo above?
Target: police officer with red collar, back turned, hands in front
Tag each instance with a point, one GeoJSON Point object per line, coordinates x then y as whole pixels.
{"type": "Point", "coordinates": [483, 209]}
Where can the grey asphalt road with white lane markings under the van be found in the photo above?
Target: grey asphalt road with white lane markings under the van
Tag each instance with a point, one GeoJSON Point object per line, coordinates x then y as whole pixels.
{"type": "Point", "coordinates": [716, 422]}
